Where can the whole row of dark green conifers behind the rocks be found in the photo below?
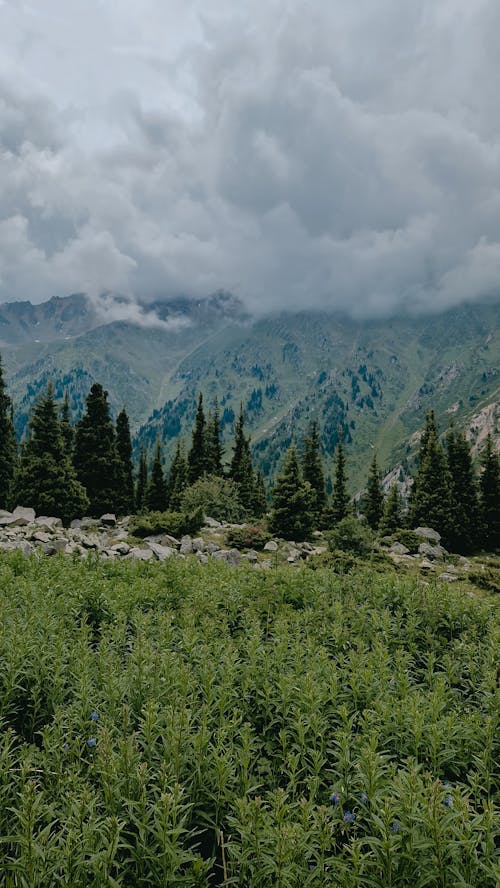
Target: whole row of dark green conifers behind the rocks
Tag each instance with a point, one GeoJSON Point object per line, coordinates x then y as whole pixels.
{"type": "Point", "coordinates": [69, 471]}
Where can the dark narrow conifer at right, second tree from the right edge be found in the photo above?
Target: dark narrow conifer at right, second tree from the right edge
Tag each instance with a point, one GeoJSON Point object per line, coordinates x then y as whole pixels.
{"type": "Point", "coordinates": [464, 529]}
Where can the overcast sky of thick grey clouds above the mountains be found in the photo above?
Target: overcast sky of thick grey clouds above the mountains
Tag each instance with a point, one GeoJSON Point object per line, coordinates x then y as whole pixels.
{"type": "Point", "coordinates": [340, 153]}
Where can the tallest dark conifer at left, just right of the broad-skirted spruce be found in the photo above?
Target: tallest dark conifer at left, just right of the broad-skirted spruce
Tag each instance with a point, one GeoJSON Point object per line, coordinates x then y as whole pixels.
{"type": "Point", "coordinates": [95, 457]}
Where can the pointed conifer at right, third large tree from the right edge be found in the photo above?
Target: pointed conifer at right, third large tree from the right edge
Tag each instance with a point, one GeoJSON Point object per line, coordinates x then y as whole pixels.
{"type": "Point", "coordinates": [430, 499]}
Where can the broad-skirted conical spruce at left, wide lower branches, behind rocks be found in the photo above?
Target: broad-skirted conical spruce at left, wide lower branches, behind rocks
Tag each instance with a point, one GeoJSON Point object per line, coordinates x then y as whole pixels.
{"type": "Point", "coordinates": [47, 480]}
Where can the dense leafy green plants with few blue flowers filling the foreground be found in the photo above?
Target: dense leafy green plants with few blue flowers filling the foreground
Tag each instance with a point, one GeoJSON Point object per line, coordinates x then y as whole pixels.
{"type": "Point", "coordinates": [178, 724]}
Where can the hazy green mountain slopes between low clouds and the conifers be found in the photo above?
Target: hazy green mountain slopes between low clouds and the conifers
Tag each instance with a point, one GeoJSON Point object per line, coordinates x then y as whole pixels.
{"type": "Point", "coordinates": [372, 379]}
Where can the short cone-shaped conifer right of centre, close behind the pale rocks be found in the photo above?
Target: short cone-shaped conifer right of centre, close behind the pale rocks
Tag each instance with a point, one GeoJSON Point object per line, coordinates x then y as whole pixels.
{"type": "Point", "coordinates": [293, 501]}
